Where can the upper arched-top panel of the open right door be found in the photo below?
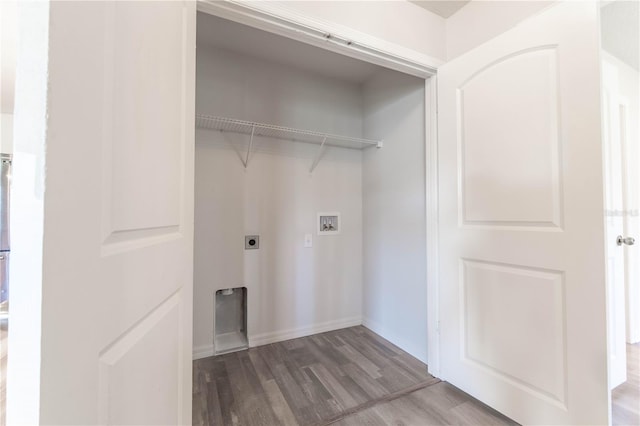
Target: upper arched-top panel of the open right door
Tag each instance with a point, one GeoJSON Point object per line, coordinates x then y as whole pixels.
{"type": "Point", "coordinates": [521, 157]}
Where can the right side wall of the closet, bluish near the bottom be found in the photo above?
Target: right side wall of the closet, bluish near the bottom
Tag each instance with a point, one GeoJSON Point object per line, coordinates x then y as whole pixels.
{"type": "Point", "coordinates": [395, 288]}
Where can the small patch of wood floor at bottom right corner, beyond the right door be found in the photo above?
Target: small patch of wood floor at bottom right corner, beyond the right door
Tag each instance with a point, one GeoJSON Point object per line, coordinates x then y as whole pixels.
{"type": "Point", "coordinates": [625, 399]}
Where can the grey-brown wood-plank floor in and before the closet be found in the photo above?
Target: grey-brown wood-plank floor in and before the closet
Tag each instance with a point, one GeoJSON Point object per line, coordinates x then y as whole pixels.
{"type": "Point", "coordinates": [348, 377]}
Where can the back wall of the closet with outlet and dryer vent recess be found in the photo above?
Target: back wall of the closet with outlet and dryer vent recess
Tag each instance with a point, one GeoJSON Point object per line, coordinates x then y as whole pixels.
{"type": "Point", "coordinates": [292, 290]}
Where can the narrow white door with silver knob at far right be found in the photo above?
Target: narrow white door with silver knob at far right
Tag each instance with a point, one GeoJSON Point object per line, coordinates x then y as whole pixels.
{"type": "Point", "coordinates": [613, 115]}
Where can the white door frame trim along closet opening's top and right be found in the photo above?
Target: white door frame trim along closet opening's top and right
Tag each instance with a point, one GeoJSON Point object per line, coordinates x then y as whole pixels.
{"type": "Point", "coordinates": [279, 19]}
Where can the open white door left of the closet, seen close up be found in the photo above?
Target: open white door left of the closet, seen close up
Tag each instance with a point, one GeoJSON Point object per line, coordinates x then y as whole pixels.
{"type": "Point", "coordinates": [118, 213]}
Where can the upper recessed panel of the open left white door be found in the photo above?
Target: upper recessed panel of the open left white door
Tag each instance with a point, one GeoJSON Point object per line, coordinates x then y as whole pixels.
{"type": "Point", "coordinates": [145, 133]}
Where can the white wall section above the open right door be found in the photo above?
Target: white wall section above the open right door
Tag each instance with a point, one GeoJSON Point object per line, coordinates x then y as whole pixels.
{"type": "Point", "coordinates": [481, 20]}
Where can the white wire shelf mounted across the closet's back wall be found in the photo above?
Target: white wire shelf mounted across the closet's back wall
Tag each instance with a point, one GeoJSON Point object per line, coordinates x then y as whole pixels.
{"type": "Point", "coordinates": [232, 125]}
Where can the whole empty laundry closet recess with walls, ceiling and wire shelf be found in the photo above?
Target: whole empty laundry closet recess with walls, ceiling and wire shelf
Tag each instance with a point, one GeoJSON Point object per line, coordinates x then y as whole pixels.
{"type": "Point", "coordinates": [286, 132]}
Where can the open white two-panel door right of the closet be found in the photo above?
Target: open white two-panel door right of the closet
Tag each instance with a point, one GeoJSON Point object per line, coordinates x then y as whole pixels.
{"type": "Point", "coordinates": [522, 276]}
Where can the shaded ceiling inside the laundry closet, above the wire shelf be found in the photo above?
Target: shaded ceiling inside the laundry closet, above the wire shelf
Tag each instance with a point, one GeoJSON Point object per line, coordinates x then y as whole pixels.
{"type": "Point", "coordinates": [224, 34]}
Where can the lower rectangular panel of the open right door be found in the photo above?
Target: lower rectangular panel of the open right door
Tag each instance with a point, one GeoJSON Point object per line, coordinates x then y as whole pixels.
{"type": "Point", "coordinates": [514, 315]}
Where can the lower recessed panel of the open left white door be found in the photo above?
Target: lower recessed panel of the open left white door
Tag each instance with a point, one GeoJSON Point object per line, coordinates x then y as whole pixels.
{"type": "Point", "coordinates": [126, 401]}
